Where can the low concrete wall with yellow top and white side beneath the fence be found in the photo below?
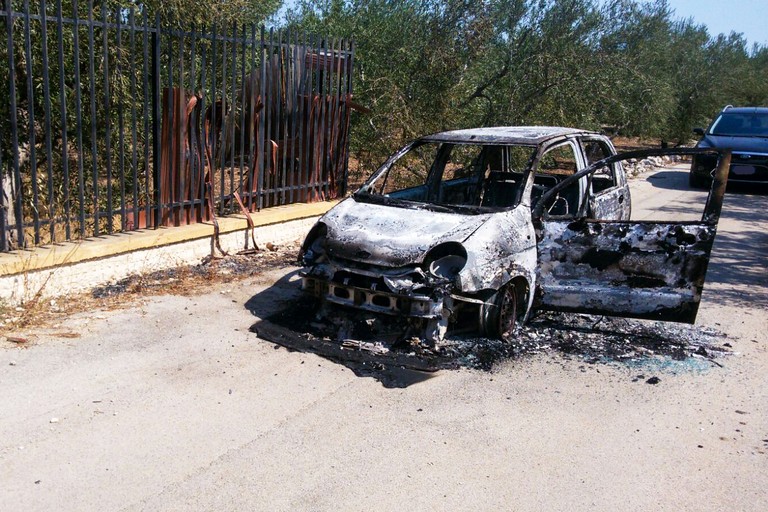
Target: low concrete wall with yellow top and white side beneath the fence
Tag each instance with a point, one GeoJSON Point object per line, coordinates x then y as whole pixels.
{"type": "Point", "coordinates": [57, 270]}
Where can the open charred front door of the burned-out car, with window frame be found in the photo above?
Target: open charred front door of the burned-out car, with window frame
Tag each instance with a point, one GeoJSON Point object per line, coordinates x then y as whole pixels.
{"type": "Point", "coordinates": [647, 269]}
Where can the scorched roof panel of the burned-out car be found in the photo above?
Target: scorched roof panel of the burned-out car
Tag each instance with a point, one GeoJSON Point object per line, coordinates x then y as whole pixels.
{"type": "Point", "coordinates": [532, 135]}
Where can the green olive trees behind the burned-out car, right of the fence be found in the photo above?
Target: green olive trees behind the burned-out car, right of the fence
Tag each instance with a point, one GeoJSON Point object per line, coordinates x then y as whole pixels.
{"type": "Point", "coordinates": [634, 68]}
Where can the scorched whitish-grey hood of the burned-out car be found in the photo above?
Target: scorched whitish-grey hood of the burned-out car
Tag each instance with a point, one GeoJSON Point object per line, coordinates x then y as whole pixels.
{"type": "Point", "coordinates": [392, 236]}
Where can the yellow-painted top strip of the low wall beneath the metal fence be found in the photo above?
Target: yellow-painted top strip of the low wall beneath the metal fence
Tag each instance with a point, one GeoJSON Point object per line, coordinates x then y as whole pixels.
{"type": "Point", "coordinates": [68, 253]}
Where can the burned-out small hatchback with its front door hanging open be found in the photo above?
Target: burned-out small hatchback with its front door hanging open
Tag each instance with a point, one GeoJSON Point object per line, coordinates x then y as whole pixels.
{"type": "Point", "coordinates": [488, 224]}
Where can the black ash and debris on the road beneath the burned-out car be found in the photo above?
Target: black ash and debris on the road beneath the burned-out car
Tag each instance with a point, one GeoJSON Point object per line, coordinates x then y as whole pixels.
{"type": "Point", "coordinates": [377, 349]}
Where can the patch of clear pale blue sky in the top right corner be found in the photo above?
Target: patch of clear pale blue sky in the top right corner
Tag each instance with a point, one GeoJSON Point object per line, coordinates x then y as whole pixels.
{"type": "Point", "coordinates": [749, 17]}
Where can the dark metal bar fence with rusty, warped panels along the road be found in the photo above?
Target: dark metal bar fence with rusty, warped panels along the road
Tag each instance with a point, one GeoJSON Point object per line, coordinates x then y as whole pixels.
{"type": "Point", "coordinates": [112, 123]}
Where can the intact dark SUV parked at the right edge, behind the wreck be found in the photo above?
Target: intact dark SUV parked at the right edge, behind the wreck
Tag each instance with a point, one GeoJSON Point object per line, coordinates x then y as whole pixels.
{"type": "Point", "coordinates": [743, 130]}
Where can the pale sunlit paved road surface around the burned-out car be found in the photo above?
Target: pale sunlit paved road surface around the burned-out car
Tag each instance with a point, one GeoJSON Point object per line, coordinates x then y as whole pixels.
{"type": "Point", "coordinates": [173, 404]}
